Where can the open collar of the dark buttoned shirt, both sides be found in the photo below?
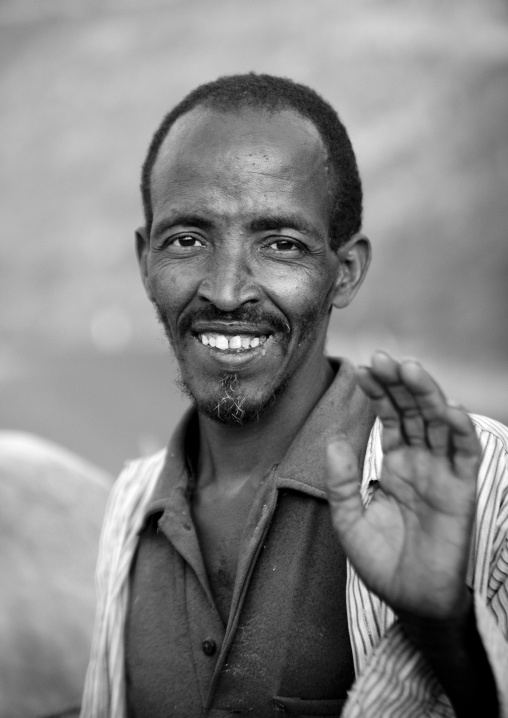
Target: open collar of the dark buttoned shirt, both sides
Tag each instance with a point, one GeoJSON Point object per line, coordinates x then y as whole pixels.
{"type": "Point", "coordinates": [343, 409]}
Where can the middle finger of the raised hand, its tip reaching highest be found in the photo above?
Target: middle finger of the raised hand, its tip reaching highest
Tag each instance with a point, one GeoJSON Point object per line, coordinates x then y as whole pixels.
{"type": "Point", "coordinates": [387, 371]}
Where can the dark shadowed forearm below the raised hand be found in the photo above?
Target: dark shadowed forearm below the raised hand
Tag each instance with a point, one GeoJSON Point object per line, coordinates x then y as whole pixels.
{"type": "Point", "coordinates": [455, 652]}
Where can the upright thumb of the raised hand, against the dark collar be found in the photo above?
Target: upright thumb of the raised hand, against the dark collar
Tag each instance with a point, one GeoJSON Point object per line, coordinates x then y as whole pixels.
{"type": "Point", "coordinates": [343, 484]}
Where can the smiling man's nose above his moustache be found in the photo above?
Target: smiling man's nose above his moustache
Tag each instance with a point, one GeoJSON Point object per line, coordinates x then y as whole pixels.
{"type": "Point", "coordinates": [230, 281]}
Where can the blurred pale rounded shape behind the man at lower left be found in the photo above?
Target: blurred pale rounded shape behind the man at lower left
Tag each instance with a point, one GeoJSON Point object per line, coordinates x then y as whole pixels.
{"type": "Point", "coordinates": [47, 606]}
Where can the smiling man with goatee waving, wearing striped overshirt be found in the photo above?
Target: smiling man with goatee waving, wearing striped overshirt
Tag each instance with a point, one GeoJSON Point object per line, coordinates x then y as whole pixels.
{"type": "Point", "coordinates": [225, 583]}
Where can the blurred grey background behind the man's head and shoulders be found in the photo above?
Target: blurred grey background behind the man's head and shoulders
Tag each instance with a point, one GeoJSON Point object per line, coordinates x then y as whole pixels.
{"type": "Point", "coordinates": [422, 87]}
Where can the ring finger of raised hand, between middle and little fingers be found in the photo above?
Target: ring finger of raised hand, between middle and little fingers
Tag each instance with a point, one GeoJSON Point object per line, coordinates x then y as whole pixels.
{"type": "Point", "coordinates": [431, 402]}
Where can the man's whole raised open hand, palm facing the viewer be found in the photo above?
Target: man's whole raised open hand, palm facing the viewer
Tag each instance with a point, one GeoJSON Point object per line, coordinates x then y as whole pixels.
{"type": "Point", "coordinates": [411, 545]}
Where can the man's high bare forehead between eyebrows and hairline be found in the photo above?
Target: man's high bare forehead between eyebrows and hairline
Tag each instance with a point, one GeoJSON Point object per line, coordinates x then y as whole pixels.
{"type": "Point", "coordinates": [250, 149]}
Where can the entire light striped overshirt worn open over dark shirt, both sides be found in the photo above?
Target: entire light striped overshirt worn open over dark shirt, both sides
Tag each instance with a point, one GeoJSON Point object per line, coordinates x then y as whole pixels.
{"type": "Point", "coordinates": [393, 678]}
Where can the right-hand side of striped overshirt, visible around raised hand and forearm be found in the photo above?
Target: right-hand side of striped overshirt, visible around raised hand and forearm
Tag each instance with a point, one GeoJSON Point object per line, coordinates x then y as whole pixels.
{"type": "Point", "coordinates": [394, 680]}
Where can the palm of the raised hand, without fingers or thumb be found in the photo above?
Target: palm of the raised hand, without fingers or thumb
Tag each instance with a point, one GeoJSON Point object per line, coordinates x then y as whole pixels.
{"type": "Point", "coordinates": [416, 526]}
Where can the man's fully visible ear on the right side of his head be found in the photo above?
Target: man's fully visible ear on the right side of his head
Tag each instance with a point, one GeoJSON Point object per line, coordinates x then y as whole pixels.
{"type": "Point", "coordinates": [354, 260]}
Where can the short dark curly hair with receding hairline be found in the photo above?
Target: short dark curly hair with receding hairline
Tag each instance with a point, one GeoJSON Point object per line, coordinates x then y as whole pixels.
{"type": "Point", "coordinates": [267, 92]}
